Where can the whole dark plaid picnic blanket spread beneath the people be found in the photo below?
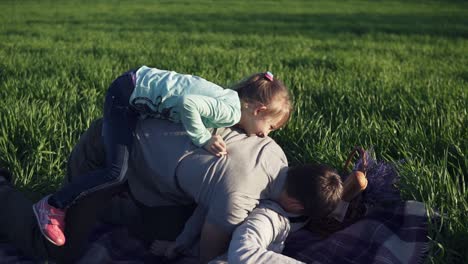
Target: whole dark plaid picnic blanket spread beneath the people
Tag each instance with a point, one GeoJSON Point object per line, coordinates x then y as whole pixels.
{"type": "Point", "coordinates": [391, 234]}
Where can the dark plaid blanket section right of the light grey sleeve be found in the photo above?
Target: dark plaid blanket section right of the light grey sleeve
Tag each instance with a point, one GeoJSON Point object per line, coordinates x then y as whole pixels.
{"type": "Point", "coordinates": [391, 234]}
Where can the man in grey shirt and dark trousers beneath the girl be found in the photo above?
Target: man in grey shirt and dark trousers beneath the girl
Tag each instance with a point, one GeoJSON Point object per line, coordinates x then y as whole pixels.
{"type": "Point", "coordinates": [165, 170]}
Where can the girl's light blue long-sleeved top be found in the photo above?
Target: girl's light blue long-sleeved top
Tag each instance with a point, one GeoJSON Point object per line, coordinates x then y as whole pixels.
{"type": "Point", "coordinates": [195, 102]}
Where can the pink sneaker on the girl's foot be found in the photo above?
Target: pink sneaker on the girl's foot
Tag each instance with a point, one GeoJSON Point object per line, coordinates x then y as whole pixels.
{"type": "Point", "coordinates": [51, 221]}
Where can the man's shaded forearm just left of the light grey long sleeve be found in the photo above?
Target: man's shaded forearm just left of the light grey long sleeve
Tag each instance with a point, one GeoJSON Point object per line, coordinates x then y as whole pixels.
{"type": "Point", "coordinates": [214, 241]}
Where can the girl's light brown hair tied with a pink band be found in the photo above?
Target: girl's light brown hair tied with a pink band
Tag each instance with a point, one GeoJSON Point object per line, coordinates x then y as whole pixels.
{"type": "Point", "coordinates": [269, 91]}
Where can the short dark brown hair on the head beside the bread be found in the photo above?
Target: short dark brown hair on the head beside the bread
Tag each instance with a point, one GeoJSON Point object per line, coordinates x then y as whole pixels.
{"type": "Point", "coordinates": [318, 187]}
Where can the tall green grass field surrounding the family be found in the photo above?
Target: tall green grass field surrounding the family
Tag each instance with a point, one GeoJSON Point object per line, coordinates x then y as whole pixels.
{"type": "Point", "coordinates": [387, 74]}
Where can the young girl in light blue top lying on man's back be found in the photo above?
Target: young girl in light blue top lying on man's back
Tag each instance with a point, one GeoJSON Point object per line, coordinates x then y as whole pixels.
{"type": "Point", "coordinates": [258, 105]}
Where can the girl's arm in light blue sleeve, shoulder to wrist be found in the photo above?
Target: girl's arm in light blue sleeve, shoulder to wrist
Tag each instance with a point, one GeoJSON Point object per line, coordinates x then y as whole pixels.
{"type": "Point", "coordinates": [197, 109]}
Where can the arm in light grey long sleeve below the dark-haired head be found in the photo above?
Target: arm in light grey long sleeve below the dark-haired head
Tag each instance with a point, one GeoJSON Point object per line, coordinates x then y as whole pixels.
{"type": "Point", "coordinates": [252, 240]}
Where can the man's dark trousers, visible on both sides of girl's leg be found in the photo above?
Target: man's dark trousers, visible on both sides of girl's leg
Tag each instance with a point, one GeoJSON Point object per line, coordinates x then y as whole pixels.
{"type": "Point", "coordinates": [18, 223]}
